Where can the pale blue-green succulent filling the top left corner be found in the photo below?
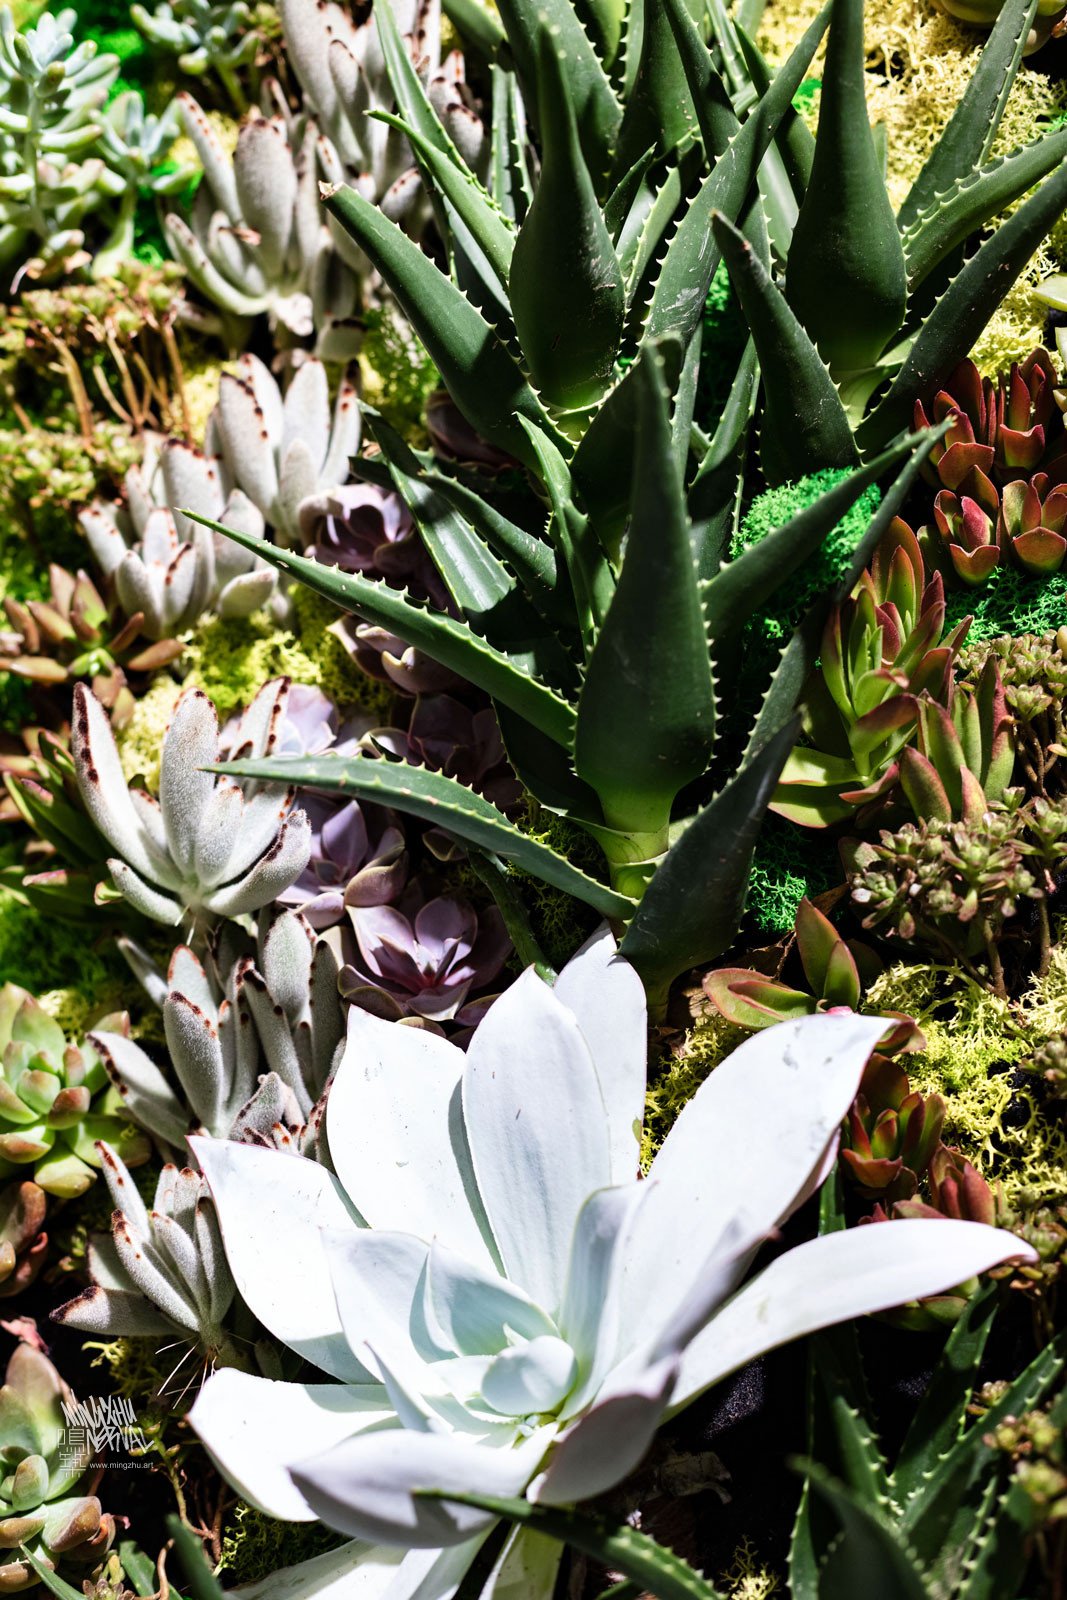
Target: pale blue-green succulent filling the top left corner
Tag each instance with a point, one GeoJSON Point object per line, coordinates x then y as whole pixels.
{"type": "Point", "coordinates": [52, 95]}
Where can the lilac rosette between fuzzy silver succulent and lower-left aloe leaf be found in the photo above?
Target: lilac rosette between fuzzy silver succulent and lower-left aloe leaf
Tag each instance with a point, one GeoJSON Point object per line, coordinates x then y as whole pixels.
{"type": "Point", "coordinates": [359, 858]}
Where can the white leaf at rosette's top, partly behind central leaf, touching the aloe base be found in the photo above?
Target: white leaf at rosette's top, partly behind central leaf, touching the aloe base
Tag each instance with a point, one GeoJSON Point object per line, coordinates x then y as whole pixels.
{"type": "Point", "coordinates": [609, 1001]}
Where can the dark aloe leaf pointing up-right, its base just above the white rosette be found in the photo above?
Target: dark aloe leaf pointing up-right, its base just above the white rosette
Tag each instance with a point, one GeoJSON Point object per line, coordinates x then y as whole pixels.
{"type": "Point", "coordinates": [693, 905]}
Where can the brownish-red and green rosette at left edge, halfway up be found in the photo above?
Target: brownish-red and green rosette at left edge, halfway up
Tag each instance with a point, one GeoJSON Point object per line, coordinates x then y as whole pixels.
{"type": "Point", "coordinates": [76, 634]}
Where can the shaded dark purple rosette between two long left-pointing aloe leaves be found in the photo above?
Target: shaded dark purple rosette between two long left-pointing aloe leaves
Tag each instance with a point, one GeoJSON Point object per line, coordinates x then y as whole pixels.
{"type": "Point", "coordinates": [452, 738]}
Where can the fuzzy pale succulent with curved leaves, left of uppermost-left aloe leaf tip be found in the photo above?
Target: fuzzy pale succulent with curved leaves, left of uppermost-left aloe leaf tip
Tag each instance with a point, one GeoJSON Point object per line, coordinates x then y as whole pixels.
{"type": "Point", "coordinates": [257, 241]}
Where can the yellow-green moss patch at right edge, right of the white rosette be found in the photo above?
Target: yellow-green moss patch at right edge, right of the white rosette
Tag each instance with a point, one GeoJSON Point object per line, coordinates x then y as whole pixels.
{"type": "Point", "coordinates": [973, 1046]}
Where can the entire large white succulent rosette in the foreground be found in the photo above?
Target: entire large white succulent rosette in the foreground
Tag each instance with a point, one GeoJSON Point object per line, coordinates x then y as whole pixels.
{"type": "Point", "coordinates": [498, 1303]}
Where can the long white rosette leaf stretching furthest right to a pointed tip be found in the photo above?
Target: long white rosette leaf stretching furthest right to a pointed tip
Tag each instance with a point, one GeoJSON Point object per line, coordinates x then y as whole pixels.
{"type": "Point", "coordinates": [836, 1278]}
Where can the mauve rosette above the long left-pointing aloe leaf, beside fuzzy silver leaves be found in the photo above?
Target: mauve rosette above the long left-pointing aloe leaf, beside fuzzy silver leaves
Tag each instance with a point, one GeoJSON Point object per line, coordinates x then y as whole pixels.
{"type": "Point", "coordinates": [361, 529]}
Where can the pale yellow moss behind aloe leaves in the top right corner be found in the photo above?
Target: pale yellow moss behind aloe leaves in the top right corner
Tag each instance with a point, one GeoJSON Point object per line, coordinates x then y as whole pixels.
{"type": "Point", "coordinates": [921, 63]}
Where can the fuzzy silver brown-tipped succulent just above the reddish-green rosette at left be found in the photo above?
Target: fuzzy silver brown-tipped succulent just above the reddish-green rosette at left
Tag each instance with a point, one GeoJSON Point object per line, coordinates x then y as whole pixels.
{"type": "Point", "coordinates": [162, 564]}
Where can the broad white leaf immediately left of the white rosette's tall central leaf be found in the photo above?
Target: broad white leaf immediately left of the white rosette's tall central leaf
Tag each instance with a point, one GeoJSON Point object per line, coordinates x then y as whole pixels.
{"type": "Point", "coordinates": [396, 1132]}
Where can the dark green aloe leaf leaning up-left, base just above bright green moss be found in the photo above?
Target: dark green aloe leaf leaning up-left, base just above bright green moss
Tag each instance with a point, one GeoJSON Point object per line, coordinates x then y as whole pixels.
{"type": "Point", "coordinates": [805, 425]}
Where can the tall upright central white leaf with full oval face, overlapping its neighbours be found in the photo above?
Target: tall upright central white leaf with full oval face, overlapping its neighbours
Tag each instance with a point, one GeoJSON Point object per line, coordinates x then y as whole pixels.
{"type": "Point", "coordinates": [535, 1169]}
